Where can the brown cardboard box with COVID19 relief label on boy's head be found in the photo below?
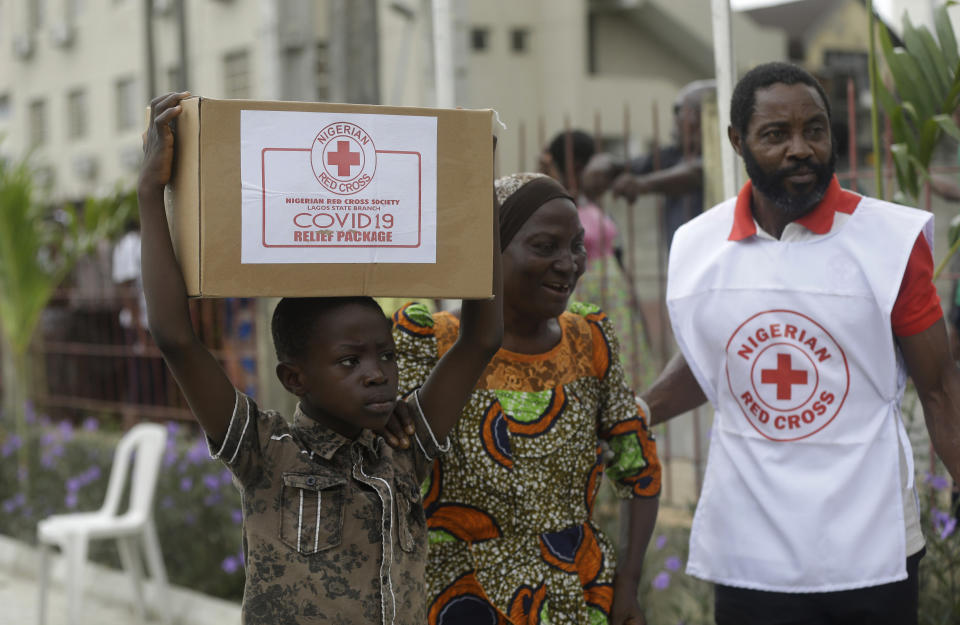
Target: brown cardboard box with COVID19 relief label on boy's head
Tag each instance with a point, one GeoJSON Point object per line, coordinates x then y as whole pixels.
{"type": "Point", "coordinates": [314, 199]}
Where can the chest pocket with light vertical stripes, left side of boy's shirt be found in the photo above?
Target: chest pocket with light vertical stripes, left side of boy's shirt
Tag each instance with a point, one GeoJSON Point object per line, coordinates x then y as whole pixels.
{"type": "Point", "coordinates": [311, 511]}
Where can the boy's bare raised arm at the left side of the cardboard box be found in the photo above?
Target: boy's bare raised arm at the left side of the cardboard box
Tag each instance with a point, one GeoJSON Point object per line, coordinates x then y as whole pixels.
{"type": "Point", "coordinates": [207, 389]}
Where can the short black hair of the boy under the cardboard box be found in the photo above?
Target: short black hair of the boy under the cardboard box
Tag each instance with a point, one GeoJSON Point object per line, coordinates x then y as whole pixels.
{"type": "Point", "coordinates": [294, 319]}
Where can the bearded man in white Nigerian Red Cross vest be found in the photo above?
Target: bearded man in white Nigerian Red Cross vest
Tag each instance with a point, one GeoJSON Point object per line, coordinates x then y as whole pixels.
{"type": "Point", "coordinates": [799, 309]}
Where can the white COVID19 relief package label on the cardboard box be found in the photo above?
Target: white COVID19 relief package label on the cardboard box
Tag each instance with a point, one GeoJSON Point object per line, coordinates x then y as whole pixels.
{"type": "Point", "coordinates": [338, 188]}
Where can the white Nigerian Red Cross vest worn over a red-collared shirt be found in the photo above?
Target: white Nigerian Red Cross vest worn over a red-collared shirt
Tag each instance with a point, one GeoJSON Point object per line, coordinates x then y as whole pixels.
{"type": "Point", "coordinates": [792, 344]}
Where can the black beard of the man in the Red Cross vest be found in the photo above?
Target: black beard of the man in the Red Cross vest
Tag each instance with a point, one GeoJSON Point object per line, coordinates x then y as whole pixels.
{"type": "Point", "coordinates": [793, 205]}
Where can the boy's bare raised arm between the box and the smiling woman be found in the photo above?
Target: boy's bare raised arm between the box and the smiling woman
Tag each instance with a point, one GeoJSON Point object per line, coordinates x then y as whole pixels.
{"type": "Point", "coordinates": [448, 387]}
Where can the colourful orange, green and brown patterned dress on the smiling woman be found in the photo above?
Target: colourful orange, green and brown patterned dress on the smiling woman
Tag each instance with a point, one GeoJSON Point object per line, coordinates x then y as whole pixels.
{"type": "Point", "coordinates": [509, 507]}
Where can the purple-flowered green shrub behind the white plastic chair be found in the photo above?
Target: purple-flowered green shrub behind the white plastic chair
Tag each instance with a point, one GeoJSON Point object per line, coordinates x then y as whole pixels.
{"type": "Point", "coordinates": [197, 508]}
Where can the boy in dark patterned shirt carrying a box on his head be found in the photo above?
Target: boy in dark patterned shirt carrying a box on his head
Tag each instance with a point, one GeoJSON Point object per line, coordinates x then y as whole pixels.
{"type": "Point", "coordinates": [333, 530]}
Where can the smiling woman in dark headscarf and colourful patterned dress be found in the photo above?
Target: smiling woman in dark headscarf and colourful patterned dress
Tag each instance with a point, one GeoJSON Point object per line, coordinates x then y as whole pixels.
{"type": "Point", "coordinates": [509, 507]}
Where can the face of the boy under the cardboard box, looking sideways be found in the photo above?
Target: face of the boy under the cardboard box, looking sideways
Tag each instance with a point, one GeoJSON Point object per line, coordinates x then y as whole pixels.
{"type": "Point", "coordinates": [348, 378]}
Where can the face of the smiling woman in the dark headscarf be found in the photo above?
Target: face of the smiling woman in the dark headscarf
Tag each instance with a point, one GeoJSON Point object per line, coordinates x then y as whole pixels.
{"type": "Point", "coordinates": [543, 262]}
